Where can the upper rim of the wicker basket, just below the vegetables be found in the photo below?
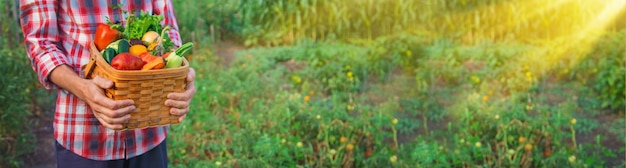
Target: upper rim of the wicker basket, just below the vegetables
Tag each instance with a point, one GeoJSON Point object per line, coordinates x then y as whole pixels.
{"type": "Point", "coordinates": [136, 74]}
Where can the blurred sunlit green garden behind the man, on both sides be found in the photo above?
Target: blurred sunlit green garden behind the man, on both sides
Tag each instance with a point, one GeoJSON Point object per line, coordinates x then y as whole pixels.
{"type": "Point", "coordinates": [374, 83]}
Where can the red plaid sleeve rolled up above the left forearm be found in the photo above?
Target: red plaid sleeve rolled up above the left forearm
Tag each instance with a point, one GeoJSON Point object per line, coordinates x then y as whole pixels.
{"type": "Point", "coordinates": [41, 36]}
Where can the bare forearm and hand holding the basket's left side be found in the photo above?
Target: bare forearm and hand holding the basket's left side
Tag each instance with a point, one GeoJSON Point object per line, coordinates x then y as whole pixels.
{"type": "Point", "coordinates": [111, 114]}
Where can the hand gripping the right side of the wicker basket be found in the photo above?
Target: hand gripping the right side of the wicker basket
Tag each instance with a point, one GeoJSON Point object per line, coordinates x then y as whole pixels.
{"type": "Point", "coordinates": [179, 102]}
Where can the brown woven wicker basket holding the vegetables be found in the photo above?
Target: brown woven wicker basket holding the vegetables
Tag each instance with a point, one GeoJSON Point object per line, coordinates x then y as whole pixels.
{"type": "Point", "coordinates": [147, 88]}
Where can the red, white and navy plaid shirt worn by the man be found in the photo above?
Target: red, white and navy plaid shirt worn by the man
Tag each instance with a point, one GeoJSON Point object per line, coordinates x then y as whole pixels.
{"type": "Point", "coordinates": [58, 32]}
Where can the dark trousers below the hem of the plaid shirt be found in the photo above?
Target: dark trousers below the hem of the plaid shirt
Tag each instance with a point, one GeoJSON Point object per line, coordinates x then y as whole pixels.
{"type": "Point", "coordinates": [155, 158]}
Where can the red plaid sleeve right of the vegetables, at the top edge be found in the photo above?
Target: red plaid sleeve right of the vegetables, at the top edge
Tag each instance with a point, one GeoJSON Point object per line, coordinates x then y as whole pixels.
{"type": "Point", "coordinates": [166, 8]}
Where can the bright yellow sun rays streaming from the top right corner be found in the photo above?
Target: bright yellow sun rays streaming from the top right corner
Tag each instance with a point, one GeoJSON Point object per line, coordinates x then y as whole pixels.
{"type": "Point", "coordinates": [571, 30]}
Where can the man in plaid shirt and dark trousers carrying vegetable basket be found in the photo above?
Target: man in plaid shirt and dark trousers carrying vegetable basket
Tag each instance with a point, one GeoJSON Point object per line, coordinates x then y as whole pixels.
{"type": "Point", "coordinates": [57, 34]}
